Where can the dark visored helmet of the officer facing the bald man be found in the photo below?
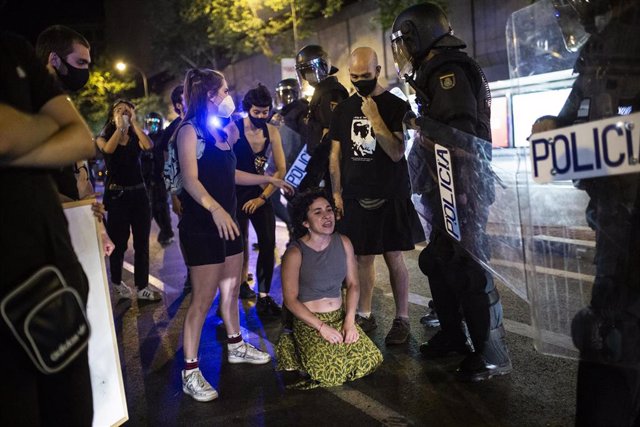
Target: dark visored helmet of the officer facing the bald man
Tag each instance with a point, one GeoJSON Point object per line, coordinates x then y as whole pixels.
{"type": "Point", "coordinates": [417, 30]}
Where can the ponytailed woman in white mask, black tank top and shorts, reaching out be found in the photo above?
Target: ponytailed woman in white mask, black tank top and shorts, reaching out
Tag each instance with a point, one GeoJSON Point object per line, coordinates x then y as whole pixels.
{"type": "Point", "coordinates": [208, 227]}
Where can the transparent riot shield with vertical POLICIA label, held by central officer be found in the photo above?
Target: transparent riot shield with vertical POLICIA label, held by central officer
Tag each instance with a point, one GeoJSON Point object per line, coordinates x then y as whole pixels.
{"type": "Point", "coordinates": [460, 191]}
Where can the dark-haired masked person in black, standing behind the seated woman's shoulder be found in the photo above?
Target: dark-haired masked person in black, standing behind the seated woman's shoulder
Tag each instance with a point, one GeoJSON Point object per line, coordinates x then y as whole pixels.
{"type": "Point", "coordinates": [257, 141]}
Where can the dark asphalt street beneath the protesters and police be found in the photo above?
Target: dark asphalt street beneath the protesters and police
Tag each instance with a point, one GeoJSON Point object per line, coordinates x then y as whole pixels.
{"type": "Point", "coordinates": [406, 390]}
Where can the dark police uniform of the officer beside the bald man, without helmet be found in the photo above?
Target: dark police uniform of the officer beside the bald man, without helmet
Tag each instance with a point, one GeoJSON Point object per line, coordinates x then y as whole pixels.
{"type": "Point", "coordinates": [455, 93]}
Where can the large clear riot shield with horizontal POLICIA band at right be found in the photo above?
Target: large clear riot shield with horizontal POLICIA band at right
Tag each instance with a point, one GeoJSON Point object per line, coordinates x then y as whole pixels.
{"type": "Point", "coordinates": [580, 205]}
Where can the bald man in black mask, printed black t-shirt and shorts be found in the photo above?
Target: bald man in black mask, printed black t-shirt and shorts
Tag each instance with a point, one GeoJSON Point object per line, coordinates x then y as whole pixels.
{"type": "Point", "coordinates": [370, 183]}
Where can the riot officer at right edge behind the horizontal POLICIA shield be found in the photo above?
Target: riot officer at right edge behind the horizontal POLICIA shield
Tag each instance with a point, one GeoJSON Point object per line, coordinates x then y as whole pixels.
{"type": "Point", "coordinates": [607, 333]}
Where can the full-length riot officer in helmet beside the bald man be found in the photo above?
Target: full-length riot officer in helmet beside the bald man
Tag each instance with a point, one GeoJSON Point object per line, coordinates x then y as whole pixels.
{"type": "Point", "coordinates": [452, 91]}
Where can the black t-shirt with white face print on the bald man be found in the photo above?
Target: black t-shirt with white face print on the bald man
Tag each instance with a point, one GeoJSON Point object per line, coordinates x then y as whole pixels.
{"type": "Point", "coordinates": [366, 171]}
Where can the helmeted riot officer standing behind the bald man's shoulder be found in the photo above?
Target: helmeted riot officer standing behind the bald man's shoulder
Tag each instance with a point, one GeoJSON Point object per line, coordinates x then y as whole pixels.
{"type": "Point", "coordinates": [314, 67]}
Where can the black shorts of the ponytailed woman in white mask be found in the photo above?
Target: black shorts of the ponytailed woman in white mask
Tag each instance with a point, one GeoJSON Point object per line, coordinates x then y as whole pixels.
{"type": "Point", "coordinates": [204, 248]}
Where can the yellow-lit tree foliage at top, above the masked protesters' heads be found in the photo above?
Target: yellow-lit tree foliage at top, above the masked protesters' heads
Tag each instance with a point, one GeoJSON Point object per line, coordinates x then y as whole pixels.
{"type": "Point", "coordinates": [215, 32]}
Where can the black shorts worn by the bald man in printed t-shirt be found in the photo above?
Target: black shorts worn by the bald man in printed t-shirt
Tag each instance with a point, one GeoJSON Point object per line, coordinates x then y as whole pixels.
{"type": "Point", "coordinates": [394, 226]}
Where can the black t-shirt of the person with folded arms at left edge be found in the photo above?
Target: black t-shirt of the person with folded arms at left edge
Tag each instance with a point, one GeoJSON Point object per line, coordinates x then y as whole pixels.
{"type": "Point", "coordinates": [33, 228]}
